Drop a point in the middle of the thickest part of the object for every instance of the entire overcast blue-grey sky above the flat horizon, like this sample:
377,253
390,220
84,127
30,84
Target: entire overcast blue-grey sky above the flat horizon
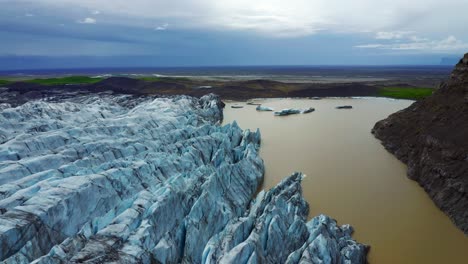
94,33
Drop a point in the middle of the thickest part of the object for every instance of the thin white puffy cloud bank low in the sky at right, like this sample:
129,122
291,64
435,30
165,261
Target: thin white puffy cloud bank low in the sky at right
416,44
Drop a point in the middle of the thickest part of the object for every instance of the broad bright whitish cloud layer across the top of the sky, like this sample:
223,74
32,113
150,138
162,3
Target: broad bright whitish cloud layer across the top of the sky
290,18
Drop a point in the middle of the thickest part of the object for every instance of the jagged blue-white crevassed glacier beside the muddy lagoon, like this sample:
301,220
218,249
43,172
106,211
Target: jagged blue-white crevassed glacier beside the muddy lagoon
108,178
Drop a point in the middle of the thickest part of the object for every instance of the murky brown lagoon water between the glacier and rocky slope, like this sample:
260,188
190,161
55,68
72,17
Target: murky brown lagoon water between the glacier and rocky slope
352,178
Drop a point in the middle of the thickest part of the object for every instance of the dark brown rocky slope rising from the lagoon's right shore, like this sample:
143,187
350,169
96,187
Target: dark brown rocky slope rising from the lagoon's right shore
431,137
